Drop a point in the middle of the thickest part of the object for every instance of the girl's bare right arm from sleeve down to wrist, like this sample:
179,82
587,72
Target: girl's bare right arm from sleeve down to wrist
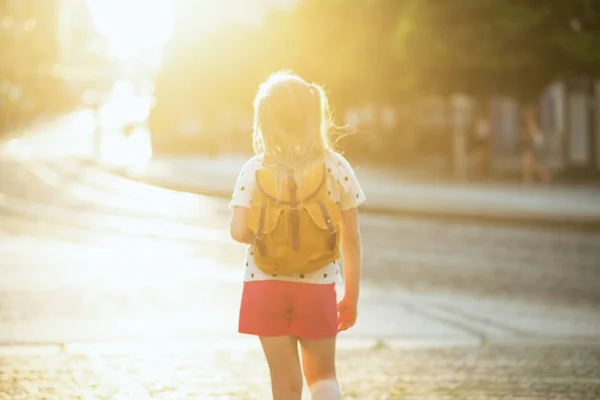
351,254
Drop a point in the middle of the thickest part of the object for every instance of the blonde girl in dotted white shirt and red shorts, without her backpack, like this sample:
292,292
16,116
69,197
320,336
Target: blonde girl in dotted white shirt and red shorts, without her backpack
291,129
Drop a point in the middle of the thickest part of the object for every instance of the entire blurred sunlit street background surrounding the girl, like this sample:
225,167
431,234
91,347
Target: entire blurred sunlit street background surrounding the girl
473,127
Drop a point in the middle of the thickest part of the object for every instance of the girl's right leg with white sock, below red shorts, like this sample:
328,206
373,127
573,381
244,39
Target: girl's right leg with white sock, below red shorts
318,361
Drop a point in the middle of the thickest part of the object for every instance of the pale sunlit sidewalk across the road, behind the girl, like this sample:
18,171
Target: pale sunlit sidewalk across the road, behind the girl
390,192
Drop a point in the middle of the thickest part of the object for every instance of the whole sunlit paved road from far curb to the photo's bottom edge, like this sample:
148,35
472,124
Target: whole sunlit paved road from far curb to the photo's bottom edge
89,259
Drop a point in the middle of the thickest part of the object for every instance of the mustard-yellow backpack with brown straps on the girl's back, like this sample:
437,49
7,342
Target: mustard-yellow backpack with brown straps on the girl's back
296,227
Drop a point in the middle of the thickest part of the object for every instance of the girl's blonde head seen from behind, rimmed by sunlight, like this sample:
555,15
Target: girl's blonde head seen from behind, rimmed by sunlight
291,120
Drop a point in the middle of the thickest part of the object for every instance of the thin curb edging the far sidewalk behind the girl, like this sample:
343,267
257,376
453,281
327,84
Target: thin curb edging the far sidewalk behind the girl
490,218
